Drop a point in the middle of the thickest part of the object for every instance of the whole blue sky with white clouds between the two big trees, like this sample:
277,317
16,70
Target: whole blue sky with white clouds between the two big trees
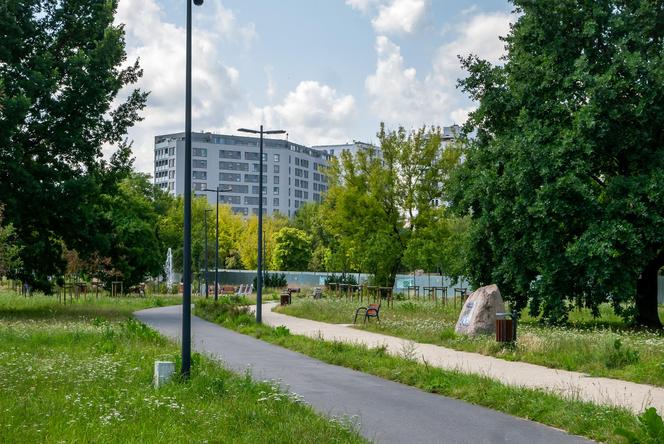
326,71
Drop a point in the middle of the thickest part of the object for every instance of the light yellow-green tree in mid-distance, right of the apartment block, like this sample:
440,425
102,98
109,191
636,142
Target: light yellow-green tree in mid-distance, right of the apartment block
377,204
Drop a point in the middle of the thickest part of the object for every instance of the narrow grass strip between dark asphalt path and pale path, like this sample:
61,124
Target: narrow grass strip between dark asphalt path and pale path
576,417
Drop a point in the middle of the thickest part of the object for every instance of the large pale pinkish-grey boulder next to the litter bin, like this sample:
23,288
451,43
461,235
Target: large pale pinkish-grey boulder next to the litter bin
478,315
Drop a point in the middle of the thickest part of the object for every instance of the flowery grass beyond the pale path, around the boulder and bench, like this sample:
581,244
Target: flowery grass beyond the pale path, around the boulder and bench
599,347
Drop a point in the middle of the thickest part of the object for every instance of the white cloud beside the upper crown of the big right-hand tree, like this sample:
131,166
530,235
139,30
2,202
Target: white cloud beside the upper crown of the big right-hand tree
399,96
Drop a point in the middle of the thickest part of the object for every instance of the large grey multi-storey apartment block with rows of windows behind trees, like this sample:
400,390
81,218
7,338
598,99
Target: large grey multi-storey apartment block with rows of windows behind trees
291,172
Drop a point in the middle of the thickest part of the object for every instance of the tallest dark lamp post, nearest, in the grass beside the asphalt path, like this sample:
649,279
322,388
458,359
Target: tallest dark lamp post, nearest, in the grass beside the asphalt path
186,250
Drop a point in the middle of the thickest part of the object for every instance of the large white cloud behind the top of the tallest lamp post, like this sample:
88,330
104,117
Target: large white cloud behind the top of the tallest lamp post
160,47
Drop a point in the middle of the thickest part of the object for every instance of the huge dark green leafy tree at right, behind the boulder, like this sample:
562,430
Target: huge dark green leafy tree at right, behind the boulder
565,177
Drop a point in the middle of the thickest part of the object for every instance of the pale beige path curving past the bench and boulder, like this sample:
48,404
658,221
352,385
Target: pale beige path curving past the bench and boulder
606,391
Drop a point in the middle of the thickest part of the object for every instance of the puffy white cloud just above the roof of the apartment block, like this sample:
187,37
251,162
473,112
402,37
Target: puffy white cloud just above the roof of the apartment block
312,114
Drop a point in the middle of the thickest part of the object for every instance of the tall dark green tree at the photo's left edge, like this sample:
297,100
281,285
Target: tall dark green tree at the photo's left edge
62,65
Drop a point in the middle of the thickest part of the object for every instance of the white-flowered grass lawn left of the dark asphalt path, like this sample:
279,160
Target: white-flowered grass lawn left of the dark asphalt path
83,373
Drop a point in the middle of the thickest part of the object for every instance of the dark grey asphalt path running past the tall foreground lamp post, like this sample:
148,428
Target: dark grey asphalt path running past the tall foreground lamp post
385,411
